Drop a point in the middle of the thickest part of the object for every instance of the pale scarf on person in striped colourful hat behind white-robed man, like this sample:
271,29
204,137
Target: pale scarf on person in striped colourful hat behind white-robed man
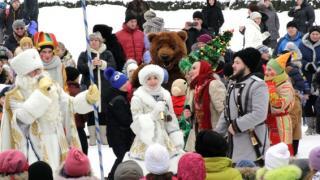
54,68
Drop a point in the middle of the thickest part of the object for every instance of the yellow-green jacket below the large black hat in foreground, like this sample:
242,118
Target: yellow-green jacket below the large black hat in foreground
220,168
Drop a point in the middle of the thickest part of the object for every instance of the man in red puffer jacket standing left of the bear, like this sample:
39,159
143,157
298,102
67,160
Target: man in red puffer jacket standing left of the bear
131,39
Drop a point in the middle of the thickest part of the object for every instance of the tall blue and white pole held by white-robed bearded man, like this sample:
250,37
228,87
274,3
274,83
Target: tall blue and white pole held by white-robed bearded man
96,117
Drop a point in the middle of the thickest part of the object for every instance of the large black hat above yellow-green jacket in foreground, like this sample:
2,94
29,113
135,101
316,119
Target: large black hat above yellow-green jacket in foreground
211,144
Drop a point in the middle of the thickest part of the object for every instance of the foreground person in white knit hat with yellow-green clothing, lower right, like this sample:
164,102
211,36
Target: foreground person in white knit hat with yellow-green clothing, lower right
277,165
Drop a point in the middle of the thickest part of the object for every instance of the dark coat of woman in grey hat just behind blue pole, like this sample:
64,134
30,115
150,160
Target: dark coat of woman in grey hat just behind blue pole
83,68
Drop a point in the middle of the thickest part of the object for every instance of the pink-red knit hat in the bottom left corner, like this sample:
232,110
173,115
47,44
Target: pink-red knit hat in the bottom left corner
13,161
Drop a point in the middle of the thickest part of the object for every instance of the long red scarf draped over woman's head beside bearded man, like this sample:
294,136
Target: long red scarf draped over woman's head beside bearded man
201,95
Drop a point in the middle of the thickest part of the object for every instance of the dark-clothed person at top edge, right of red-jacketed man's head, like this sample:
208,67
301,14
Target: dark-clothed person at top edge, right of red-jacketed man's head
137,8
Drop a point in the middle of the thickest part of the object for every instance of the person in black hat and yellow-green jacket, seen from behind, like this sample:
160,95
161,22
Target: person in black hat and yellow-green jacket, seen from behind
213,147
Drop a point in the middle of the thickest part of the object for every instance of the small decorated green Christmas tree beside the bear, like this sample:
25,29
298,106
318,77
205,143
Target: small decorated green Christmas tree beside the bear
211,52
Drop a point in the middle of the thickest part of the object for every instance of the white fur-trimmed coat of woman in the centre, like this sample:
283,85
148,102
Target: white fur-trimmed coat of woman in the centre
149,129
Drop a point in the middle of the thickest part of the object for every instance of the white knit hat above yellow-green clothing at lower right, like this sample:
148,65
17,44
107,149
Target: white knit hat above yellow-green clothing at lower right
277,156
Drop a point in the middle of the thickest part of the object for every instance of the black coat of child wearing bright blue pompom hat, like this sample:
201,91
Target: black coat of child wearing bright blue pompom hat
119,119
